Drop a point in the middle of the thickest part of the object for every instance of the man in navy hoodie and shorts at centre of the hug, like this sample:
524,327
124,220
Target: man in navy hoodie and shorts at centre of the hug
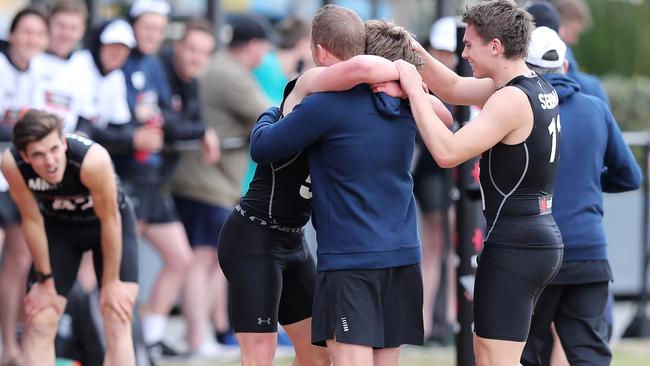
368,295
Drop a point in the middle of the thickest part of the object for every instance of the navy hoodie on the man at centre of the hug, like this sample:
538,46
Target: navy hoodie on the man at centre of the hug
360,147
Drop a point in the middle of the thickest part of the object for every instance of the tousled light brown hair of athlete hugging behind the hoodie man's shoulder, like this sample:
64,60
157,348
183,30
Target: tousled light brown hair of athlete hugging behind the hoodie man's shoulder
390,41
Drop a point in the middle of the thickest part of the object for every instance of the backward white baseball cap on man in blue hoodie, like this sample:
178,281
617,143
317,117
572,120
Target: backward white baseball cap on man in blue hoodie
546,49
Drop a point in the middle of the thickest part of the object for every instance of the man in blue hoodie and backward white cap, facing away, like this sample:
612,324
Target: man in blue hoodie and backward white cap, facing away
595,159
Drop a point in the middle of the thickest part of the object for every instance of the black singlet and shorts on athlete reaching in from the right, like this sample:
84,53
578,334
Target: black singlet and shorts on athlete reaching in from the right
523,246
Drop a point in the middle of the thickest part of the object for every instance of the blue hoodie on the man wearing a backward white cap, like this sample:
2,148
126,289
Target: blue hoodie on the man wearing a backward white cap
595,159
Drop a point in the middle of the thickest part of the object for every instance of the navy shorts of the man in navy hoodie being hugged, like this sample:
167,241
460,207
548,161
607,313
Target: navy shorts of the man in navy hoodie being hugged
379,308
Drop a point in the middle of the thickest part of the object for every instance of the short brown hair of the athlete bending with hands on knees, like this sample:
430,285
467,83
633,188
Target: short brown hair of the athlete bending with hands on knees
34,126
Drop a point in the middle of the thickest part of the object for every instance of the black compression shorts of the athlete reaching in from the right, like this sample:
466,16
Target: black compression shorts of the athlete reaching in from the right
509,280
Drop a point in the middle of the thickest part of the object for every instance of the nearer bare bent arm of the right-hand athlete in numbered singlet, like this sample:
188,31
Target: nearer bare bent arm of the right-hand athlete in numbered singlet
504,114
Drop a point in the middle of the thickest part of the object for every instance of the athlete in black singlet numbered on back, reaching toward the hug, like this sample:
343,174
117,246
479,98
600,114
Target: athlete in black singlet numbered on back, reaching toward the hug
517,133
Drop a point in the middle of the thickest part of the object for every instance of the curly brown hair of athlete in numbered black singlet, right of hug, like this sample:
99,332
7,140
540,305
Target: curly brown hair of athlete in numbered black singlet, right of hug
505,21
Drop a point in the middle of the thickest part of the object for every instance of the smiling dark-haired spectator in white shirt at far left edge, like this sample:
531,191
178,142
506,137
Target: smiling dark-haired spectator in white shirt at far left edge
28,37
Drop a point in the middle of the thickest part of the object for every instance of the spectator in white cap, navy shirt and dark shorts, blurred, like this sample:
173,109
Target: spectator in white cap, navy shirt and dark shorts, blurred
143,169
